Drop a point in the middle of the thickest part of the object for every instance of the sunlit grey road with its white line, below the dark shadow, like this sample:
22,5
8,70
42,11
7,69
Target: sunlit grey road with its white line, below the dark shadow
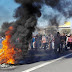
61,64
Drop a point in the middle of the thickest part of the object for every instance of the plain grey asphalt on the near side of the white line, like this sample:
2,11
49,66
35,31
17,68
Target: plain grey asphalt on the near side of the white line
63,65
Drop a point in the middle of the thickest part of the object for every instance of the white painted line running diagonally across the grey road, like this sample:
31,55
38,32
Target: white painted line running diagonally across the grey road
46,63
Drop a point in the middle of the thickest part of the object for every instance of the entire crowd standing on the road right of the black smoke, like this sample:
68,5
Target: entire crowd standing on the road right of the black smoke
59,42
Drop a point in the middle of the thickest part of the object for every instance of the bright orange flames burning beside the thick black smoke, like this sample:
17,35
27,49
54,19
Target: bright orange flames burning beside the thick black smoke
7,53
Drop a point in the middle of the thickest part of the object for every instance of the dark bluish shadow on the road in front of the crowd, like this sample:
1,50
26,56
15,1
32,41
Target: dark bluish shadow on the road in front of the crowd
41,55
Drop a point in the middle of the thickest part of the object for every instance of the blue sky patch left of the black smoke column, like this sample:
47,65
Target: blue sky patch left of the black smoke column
7,10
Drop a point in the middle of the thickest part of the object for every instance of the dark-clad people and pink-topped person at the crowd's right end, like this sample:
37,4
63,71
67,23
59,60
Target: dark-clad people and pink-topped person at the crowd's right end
62,42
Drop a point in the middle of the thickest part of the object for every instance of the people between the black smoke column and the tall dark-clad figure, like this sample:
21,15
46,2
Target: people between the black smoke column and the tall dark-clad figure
42,42
